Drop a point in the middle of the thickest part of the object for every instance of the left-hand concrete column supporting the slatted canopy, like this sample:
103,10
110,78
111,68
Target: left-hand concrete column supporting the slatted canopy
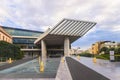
43,50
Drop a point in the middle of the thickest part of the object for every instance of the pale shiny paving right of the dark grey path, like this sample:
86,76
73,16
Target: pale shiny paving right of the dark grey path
104,67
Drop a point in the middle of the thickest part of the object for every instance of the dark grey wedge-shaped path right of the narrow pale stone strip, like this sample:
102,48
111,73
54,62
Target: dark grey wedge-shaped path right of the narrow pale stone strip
81,72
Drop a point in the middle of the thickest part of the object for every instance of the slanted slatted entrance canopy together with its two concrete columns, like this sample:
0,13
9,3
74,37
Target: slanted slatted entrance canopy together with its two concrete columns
61,36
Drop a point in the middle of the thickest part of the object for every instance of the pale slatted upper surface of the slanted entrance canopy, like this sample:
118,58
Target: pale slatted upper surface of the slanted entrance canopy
71,27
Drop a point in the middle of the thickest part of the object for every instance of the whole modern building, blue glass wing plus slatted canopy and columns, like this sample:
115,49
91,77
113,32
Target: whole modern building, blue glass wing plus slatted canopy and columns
56,41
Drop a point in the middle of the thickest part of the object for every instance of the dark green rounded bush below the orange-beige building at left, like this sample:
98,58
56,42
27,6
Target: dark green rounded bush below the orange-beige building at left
10,51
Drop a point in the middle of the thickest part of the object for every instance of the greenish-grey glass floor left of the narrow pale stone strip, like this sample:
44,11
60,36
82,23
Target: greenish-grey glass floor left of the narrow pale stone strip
28,70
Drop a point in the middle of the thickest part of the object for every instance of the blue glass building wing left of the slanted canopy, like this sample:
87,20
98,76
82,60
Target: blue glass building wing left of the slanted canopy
23,37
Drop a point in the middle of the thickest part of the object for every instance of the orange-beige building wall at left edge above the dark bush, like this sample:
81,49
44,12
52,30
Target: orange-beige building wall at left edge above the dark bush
5,36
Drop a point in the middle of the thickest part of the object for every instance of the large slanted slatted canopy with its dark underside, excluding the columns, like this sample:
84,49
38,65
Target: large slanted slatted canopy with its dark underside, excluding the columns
73,29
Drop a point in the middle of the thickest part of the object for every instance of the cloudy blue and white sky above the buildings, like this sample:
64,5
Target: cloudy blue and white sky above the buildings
43,14
